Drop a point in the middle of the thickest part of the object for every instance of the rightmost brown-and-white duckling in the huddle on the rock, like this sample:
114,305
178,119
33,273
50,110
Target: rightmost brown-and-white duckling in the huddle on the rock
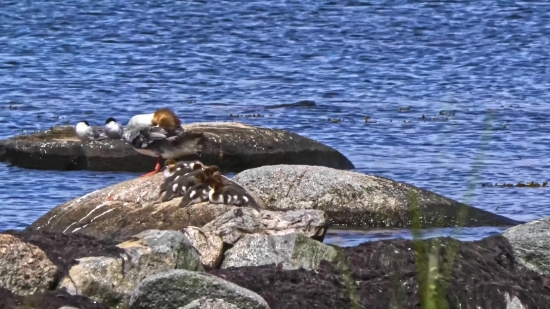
229,195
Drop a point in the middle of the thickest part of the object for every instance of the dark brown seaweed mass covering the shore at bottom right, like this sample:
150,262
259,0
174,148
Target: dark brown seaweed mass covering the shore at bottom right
390,274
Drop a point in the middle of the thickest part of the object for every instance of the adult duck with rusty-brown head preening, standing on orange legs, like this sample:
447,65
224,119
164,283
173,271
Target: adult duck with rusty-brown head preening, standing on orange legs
160,135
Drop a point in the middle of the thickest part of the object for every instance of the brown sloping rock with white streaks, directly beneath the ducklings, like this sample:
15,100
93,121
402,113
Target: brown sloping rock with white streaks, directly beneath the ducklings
133,209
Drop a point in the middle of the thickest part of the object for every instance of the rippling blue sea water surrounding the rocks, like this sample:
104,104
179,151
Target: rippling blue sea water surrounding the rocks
456,92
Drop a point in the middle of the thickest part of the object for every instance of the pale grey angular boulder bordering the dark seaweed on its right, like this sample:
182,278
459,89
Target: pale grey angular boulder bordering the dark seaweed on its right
292,251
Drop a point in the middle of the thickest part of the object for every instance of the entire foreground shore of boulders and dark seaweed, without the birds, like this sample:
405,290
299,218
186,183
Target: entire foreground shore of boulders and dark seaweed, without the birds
120,247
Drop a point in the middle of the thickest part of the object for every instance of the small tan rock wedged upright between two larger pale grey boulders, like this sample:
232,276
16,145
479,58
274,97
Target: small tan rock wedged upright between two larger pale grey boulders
208,244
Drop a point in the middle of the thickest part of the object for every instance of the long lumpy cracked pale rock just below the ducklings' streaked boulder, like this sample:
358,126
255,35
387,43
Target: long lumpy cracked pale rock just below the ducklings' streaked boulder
236,223
